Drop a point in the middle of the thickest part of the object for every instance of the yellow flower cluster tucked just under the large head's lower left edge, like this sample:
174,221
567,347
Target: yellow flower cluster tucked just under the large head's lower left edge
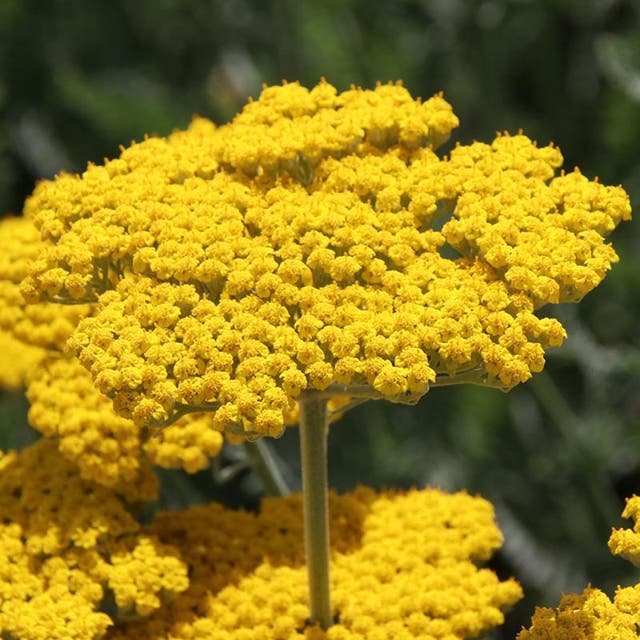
107,448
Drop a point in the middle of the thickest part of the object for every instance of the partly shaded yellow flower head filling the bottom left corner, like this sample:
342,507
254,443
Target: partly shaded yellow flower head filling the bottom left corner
65,544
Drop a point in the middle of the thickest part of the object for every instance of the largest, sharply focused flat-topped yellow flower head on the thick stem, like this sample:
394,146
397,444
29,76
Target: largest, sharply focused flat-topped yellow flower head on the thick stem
317,244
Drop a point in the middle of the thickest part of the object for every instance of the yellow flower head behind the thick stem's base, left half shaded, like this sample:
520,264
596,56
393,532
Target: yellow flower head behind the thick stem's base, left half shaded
403,567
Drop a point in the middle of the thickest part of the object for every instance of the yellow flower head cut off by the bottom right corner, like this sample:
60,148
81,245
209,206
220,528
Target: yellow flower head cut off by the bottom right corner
592,615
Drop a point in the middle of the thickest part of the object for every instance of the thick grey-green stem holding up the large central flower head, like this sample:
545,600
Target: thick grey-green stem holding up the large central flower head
313,449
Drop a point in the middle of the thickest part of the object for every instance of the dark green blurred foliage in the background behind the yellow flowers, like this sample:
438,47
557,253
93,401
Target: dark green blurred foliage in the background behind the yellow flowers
556,456
